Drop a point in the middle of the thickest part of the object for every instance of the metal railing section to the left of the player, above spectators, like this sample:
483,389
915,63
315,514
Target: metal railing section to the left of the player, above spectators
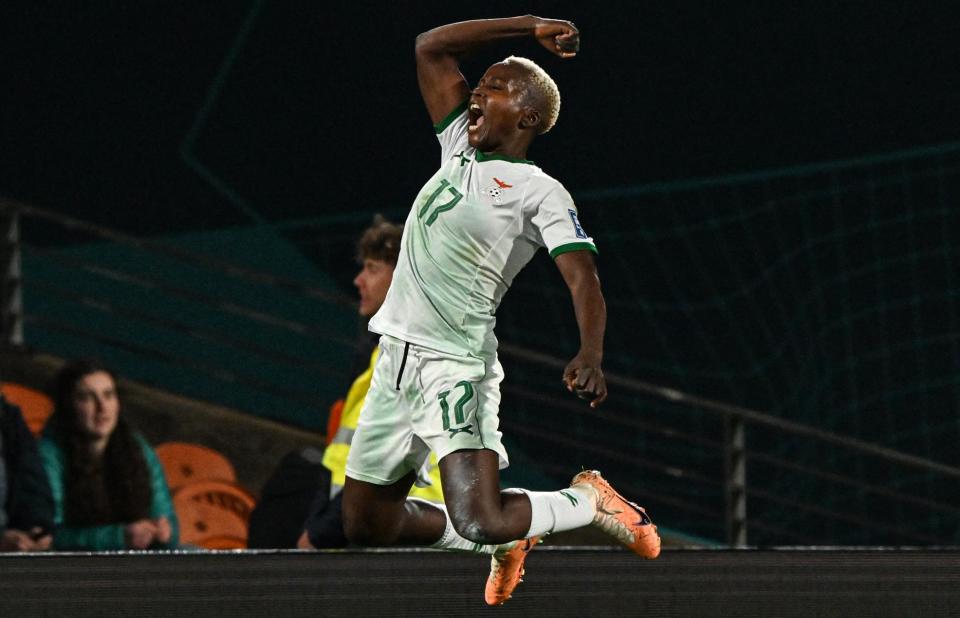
146,305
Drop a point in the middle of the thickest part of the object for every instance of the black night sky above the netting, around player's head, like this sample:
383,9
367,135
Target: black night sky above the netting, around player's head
319,112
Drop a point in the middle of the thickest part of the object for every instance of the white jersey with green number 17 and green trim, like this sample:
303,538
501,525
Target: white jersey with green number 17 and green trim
473,227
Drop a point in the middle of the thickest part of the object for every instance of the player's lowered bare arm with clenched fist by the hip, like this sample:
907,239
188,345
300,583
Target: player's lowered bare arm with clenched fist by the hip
583,374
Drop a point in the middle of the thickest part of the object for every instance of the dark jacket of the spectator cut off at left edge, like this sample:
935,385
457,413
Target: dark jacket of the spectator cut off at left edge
29,501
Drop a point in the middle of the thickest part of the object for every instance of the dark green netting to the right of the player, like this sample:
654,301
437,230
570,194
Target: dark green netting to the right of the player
826,294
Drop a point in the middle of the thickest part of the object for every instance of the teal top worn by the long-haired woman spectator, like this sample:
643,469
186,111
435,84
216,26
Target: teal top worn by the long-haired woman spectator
110,536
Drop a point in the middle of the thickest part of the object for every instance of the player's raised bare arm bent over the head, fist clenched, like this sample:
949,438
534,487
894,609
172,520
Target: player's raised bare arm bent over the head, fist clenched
439,52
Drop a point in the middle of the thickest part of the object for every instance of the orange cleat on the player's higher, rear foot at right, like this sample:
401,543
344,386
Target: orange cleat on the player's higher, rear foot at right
619,517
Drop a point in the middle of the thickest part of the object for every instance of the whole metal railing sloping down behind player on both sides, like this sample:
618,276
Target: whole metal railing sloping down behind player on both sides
698,459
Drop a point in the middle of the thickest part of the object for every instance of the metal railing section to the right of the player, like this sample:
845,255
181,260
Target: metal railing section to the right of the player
735,451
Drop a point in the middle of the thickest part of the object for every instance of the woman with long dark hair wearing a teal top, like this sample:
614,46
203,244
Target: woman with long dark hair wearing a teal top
108,486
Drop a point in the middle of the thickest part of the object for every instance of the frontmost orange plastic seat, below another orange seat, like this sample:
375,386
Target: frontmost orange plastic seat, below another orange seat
213,514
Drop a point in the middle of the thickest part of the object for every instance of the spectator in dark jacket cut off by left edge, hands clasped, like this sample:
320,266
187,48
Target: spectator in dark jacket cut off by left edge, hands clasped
26,506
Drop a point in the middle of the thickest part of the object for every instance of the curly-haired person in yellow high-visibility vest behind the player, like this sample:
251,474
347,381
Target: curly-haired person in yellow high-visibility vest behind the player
378,250
